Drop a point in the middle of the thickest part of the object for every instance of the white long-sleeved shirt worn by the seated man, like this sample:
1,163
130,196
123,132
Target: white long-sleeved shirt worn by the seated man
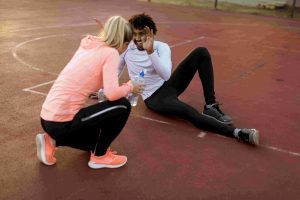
157,66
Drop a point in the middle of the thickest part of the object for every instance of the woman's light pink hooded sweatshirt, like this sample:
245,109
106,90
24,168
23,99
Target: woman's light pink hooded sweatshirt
93,66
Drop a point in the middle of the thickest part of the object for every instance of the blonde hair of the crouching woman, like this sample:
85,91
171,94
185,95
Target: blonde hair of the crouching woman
116,32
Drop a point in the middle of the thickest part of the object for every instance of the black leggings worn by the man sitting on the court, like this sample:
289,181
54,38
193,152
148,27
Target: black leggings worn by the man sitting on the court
165,99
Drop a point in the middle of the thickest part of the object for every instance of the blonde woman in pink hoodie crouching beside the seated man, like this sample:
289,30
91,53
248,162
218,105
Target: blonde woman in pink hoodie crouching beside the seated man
93,128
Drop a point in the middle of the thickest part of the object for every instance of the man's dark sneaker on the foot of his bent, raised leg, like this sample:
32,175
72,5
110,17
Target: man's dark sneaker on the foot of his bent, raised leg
213,111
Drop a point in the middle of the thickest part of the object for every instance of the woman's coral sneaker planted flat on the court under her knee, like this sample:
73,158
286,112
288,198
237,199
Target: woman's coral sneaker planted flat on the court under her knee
109,160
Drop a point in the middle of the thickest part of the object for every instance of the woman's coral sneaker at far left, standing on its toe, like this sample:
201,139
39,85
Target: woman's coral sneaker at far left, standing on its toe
45,149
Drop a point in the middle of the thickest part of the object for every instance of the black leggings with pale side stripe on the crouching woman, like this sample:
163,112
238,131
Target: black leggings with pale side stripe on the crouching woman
93,128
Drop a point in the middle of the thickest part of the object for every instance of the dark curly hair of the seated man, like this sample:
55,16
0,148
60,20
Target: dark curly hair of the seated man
140,21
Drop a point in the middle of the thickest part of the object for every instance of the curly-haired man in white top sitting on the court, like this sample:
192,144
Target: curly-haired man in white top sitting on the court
163,88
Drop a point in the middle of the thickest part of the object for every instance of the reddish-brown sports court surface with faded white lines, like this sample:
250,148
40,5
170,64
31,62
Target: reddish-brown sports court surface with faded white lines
256,62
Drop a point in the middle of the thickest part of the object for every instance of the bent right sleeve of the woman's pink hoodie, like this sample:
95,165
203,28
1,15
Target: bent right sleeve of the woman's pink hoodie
111,86
